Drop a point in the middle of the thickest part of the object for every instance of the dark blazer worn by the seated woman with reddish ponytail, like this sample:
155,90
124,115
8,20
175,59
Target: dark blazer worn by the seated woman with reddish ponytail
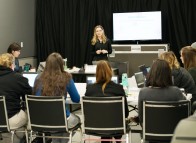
112,89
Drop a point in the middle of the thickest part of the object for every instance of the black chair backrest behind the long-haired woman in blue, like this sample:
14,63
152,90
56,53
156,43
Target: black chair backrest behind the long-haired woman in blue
46,113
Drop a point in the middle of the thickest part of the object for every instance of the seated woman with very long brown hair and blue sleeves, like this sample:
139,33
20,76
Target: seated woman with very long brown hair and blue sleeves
54,81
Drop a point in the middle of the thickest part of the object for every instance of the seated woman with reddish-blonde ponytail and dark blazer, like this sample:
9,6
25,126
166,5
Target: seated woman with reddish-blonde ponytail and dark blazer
105,87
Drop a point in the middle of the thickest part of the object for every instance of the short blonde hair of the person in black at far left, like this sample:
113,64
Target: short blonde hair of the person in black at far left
6,60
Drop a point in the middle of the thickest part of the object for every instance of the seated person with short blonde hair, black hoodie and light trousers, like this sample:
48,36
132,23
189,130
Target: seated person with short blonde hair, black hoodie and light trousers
14,87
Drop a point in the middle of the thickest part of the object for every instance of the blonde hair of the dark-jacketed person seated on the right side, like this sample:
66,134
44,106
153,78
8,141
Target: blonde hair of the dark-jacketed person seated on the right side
171,59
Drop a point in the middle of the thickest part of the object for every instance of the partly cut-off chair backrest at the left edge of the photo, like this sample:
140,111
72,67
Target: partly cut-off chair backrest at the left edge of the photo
4,124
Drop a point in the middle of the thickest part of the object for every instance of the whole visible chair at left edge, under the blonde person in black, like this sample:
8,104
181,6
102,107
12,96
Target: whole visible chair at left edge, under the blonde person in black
4,123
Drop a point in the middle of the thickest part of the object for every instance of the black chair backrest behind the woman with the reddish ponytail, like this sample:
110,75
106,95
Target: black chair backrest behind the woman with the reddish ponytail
103,115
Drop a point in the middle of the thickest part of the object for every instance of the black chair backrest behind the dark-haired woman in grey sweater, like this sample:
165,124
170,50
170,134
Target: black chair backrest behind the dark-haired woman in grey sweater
161,117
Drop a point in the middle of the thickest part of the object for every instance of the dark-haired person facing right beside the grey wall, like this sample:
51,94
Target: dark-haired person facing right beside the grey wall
14,49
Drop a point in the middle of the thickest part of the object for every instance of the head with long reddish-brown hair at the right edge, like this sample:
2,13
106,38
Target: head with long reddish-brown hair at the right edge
188,57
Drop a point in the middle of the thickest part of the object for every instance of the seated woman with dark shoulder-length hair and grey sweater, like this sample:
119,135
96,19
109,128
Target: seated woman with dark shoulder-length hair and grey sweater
158,86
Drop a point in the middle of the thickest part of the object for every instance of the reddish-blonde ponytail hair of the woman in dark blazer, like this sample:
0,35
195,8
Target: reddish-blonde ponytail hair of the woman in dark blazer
103,73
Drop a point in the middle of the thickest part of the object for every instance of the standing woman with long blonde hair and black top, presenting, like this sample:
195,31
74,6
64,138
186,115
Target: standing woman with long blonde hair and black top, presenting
101,45
